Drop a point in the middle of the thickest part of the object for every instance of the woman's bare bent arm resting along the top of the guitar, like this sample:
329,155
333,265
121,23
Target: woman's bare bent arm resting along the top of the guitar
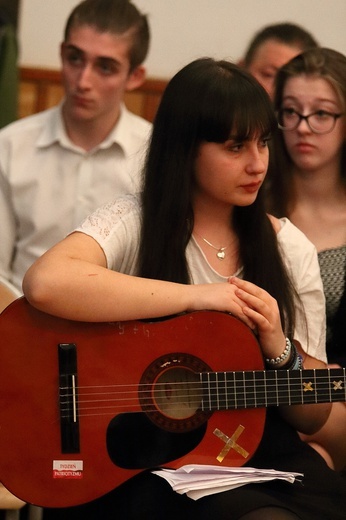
78,264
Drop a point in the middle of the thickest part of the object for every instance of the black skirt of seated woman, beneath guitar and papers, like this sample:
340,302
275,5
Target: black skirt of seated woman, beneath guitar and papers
320,496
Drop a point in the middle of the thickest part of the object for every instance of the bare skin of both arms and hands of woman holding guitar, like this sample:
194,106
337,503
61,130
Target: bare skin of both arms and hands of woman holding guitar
78,263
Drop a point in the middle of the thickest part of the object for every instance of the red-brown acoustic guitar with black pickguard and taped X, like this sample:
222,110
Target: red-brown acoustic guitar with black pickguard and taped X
86,406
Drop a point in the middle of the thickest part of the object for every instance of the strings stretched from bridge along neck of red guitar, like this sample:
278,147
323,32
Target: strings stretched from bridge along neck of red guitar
230,394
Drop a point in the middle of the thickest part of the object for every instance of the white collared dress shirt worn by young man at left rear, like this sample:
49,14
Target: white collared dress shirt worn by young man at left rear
48,185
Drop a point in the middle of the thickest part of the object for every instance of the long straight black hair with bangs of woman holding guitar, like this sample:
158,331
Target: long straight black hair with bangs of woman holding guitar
207,100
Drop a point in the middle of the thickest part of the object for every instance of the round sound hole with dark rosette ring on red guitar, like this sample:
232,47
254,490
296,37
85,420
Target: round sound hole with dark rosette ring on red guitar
171,392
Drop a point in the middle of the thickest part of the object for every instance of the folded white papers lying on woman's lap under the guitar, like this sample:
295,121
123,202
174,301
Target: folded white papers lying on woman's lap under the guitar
197,480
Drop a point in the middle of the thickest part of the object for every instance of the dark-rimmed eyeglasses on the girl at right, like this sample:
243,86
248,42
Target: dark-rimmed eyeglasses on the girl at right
319,122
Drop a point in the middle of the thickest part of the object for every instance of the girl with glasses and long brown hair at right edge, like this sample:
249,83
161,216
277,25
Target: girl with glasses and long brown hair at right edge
307,183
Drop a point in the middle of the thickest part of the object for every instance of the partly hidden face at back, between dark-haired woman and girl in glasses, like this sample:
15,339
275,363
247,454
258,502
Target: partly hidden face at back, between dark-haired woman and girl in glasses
270,56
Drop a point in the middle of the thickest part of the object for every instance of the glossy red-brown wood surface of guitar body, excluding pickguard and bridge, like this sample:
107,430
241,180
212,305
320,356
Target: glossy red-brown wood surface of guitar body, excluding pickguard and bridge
108,354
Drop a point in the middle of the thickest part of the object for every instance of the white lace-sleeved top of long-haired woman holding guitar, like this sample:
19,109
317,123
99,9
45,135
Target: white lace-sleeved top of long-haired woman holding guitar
116,227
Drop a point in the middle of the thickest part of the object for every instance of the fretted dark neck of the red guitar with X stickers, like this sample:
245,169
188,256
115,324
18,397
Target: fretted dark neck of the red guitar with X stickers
265,388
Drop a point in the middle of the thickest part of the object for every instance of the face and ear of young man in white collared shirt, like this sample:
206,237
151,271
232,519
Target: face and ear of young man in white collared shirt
96,74
